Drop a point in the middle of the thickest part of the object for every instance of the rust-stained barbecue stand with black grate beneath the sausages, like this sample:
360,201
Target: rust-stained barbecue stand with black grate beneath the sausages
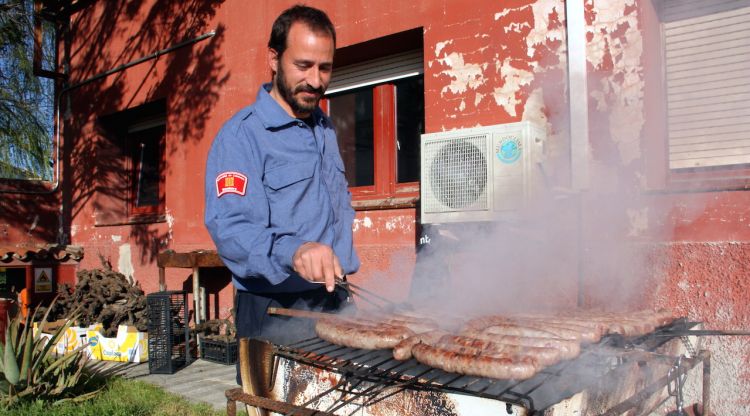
354,379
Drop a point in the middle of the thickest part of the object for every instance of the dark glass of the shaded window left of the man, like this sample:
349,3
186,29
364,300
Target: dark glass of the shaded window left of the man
146,161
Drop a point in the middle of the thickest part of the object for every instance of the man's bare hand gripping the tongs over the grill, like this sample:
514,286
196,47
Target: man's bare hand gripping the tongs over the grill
317,263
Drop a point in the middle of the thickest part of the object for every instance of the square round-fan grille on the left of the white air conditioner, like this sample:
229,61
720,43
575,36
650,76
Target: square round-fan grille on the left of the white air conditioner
458,174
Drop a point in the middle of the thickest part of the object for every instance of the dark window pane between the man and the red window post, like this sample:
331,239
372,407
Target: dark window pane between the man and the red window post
351,113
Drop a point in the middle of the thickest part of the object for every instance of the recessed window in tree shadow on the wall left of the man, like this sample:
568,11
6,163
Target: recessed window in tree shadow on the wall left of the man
130,176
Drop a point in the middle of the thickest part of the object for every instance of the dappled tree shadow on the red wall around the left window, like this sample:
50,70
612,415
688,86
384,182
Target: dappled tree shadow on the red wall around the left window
96,170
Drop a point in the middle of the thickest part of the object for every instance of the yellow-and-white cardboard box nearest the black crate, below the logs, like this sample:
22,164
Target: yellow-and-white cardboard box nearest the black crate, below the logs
129,345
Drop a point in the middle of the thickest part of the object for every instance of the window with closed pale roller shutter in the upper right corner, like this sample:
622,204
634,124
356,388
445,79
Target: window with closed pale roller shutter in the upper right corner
706,53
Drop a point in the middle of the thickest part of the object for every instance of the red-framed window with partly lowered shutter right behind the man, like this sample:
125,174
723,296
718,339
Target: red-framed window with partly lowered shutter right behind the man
377,107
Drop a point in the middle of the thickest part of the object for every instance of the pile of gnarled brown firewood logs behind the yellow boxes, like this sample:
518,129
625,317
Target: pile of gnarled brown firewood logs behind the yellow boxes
102,296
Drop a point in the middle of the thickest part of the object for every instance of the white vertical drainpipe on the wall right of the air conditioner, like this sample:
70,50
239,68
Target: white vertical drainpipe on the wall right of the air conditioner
578,103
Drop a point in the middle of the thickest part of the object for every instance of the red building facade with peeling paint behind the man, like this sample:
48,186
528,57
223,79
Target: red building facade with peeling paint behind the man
624,220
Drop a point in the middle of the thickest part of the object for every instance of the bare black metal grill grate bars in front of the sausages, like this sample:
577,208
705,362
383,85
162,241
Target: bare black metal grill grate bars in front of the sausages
369,376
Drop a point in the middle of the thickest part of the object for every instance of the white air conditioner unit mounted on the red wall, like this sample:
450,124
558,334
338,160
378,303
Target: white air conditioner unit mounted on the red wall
480,174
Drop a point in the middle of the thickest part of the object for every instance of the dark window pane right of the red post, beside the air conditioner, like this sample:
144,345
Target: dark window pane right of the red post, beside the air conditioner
410,125
